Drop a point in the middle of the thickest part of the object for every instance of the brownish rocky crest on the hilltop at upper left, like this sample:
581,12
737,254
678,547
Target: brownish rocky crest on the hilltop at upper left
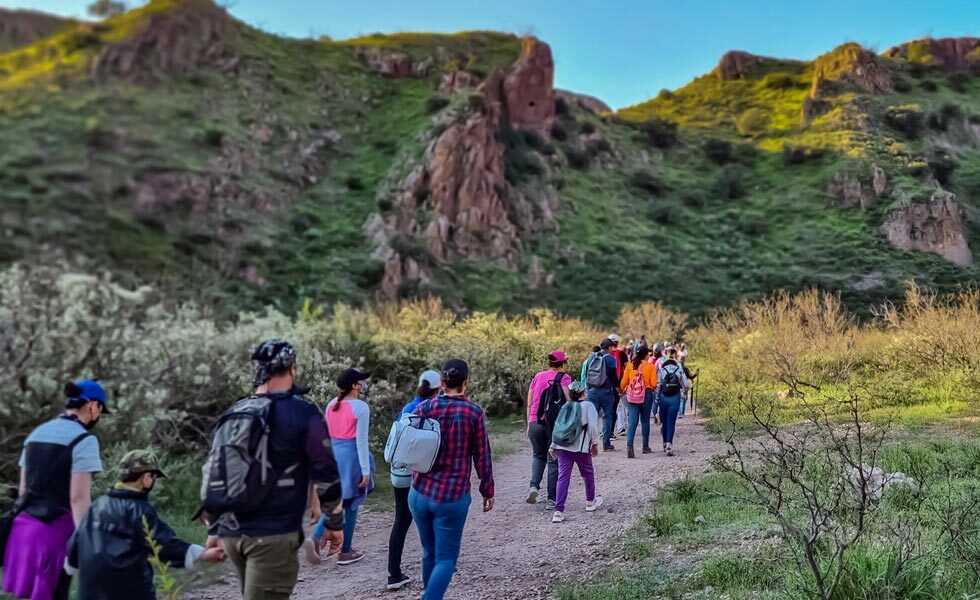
192,34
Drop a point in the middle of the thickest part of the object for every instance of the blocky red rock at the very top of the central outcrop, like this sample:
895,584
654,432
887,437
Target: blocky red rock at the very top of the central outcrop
527,91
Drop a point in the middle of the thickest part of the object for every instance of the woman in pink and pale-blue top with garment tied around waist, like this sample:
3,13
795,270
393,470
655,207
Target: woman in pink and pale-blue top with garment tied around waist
349,421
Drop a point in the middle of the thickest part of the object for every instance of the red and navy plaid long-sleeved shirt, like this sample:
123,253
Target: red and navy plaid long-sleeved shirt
464,437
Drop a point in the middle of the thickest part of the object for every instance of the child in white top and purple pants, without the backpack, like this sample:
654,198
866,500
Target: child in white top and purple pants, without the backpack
579,452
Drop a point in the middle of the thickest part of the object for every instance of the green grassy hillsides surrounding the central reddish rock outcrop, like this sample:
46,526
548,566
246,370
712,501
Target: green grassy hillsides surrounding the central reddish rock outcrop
178,145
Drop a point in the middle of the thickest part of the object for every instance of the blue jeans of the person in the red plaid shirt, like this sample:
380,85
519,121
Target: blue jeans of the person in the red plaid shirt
440,526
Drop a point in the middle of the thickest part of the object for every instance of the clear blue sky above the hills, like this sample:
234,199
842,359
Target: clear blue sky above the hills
623,51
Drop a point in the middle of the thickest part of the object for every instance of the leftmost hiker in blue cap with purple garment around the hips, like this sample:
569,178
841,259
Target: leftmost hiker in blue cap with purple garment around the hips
59,460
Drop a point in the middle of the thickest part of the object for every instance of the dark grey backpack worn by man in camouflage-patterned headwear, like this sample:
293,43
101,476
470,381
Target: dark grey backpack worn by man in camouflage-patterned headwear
237,476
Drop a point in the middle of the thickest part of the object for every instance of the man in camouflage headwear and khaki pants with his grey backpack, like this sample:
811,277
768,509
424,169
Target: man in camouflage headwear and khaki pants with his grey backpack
255,506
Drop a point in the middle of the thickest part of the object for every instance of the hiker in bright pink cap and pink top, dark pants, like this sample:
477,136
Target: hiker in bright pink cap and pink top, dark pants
548,388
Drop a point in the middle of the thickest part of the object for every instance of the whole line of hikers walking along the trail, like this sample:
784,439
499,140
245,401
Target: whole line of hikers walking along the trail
275,457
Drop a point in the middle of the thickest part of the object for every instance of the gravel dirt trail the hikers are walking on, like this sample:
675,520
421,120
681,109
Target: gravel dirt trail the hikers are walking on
514,551
